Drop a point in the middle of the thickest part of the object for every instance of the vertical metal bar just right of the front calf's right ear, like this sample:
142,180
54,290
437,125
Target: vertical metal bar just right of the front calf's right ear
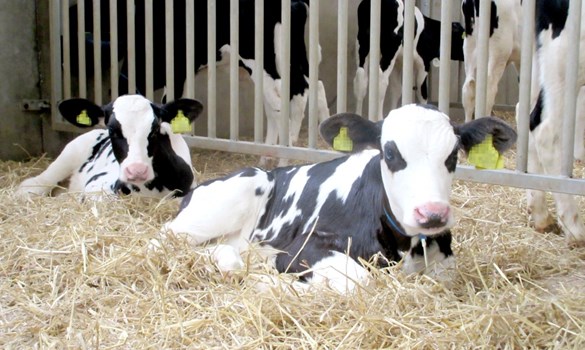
528,12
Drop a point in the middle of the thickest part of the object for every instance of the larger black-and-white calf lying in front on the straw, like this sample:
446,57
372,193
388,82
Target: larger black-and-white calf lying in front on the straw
386,198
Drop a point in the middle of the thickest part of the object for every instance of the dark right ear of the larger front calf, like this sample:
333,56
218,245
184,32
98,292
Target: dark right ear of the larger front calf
475,131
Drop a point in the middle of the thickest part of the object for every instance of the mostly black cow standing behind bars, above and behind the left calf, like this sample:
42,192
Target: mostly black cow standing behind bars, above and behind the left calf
299,66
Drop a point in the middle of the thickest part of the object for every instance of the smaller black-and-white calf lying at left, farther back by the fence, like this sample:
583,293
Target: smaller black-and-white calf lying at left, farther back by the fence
137,153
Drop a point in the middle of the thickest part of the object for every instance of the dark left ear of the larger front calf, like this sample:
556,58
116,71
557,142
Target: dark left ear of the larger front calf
362,132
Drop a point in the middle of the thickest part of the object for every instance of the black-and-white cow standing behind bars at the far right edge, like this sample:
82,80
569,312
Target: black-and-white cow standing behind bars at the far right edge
547,117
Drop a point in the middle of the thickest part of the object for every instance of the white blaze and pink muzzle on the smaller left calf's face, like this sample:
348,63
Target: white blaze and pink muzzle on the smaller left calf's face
136,117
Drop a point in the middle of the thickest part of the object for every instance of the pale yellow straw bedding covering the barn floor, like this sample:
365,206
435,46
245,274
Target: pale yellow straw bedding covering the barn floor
78,275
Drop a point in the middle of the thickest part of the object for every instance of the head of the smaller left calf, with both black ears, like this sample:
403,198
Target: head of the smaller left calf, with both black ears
139,129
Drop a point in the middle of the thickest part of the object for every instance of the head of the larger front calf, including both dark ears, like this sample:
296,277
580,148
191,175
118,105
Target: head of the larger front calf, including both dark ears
418,156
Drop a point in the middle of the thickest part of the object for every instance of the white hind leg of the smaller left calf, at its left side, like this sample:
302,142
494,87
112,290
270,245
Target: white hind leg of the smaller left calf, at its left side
71,158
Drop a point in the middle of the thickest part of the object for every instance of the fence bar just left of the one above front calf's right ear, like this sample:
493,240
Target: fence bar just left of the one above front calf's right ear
445,58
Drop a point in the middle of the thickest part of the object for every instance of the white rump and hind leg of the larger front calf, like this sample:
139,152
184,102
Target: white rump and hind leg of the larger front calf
225,209
